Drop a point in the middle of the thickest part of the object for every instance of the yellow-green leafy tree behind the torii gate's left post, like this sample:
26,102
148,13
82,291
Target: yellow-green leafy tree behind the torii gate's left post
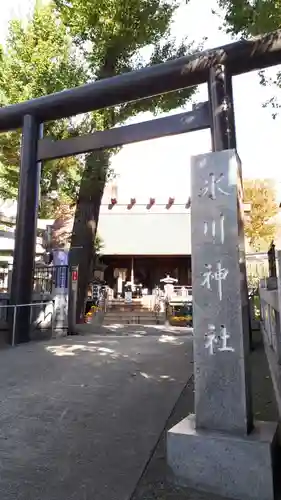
38,58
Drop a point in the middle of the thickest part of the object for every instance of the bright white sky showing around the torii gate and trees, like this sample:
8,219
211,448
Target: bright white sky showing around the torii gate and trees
160,168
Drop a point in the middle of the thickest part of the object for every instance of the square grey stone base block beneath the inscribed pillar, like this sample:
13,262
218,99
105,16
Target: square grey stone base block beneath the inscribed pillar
232,466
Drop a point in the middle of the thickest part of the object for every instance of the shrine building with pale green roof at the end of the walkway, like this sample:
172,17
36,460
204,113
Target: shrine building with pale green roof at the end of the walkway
145,239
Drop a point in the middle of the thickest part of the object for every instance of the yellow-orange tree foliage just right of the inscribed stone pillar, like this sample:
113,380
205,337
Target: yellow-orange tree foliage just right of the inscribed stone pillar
260,224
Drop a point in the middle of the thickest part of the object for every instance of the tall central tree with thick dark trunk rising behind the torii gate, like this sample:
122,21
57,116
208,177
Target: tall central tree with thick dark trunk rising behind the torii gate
115,37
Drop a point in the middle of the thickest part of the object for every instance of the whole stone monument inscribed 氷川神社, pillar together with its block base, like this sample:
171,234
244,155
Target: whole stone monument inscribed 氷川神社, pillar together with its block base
220,449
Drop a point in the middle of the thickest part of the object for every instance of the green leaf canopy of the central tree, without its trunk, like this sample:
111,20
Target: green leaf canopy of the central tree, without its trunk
117,36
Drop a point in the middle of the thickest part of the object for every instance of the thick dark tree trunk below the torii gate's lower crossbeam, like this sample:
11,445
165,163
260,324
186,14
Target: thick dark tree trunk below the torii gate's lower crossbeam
86,221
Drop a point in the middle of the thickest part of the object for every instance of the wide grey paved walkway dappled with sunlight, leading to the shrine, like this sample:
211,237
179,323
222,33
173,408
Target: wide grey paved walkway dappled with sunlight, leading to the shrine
81,416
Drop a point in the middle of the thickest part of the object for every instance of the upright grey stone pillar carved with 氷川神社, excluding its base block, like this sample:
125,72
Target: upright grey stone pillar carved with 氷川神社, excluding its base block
221,335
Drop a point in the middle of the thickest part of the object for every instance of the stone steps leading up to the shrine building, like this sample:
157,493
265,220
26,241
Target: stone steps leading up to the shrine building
136,313
